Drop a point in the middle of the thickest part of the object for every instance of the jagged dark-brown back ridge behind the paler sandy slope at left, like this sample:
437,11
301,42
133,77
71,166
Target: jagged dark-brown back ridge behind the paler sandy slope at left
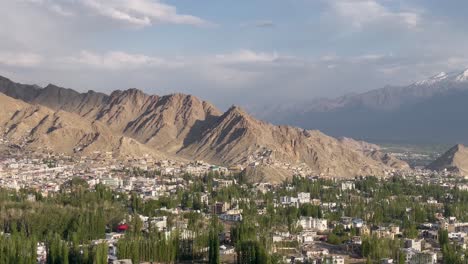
165,123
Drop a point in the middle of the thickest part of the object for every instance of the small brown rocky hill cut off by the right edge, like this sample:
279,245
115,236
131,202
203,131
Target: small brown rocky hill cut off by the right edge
454,160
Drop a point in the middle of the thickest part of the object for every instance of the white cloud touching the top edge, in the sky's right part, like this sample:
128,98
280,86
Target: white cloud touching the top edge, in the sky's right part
362,13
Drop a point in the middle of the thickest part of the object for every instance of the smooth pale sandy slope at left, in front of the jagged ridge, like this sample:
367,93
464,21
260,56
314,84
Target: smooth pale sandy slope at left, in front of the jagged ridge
40,128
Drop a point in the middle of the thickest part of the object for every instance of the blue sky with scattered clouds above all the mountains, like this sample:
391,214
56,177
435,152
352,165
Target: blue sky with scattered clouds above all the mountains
232,52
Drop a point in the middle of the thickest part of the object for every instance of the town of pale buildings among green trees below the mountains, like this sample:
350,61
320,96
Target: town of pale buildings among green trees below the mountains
417,217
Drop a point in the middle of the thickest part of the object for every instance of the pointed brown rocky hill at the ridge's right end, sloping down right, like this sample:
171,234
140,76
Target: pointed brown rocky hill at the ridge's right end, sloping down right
236,132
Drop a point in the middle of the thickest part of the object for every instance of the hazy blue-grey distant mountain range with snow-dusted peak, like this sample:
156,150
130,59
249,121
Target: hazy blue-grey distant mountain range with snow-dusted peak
428,111
